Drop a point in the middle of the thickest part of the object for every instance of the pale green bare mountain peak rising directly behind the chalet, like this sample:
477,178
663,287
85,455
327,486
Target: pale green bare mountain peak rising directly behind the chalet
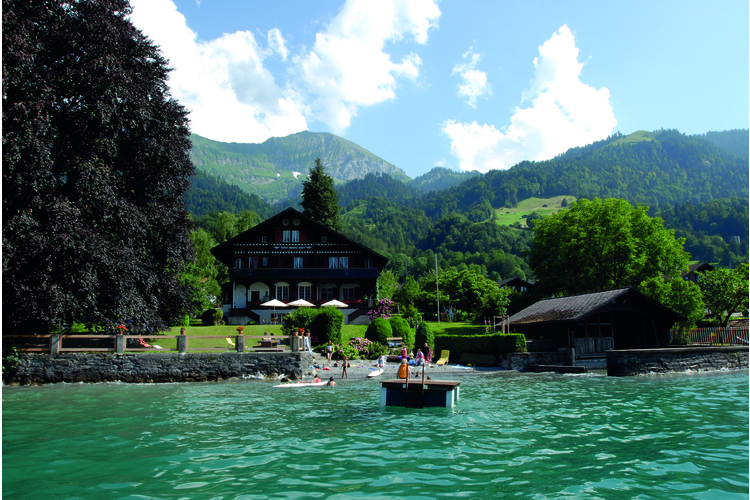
275,169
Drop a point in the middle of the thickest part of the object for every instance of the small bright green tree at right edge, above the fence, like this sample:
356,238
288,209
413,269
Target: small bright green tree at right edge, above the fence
725,291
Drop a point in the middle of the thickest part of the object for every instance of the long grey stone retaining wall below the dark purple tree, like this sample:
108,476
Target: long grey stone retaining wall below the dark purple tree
152,367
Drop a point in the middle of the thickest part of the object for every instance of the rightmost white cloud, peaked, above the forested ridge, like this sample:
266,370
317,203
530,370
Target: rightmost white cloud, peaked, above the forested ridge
563,113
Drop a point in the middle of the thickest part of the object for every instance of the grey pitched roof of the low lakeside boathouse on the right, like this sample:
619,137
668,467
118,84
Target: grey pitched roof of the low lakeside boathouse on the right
574,308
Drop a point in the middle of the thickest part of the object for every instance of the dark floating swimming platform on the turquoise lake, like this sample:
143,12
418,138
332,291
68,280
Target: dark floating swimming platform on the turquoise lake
434,393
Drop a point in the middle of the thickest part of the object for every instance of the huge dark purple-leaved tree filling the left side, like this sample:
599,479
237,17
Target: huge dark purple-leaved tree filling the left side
95,169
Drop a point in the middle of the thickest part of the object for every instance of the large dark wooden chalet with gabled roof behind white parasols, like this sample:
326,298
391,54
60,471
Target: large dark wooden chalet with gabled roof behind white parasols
290,257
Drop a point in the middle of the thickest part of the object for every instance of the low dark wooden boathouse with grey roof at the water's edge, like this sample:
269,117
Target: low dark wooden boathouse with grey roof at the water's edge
596,322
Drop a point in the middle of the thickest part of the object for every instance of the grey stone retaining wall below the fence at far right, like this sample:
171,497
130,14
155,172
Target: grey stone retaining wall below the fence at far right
675,360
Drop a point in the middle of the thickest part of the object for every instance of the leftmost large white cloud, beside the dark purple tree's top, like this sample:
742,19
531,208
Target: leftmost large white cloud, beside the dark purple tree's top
223,82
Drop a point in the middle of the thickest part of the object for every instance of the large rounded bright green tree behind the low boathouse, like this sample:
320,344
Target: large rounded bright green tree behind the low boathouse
603,244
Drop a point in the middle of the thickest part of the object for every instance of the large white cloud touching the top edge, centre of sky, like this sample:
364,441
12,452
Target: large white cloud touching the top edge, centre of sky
348,66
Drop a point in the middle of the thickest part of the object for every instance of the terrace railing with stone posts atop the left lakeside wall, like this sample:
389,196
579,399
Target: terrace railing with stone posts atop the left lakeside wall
133,343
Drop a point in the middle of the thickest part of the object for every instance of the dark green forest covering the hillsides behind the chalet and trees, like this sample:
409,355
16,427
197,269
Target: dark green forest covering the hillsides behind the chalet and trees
697,184
